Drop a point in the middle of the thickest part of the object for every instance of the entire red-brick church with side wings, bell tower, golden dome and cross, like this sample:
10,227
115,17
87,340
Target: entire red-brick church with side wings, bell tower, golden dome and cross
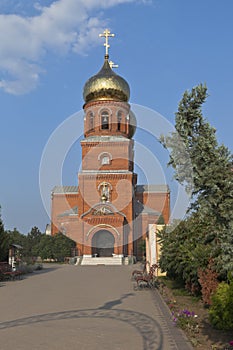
108,213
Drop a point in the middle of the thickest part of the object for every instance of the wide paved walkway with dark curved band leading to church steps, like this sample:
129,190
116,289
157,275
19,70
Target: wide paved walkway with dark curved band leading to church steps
81,307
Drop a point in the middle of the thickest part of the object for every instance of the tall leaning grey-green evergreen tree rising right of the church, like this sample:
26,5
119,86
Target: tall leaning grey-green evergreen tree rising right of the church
205,168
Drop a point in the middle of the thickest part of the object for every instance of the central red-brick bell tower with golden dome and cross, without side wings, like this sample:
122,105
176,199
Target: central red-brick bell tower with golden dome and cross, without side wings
107,179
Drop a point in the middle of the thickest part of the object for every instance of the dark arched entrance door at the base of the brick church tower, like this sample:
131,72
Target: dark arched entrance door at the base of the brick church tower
103,243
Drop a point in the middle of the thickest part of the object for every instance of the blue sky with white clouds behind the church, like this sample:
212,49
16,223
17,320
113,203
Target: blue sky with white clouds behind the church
48,49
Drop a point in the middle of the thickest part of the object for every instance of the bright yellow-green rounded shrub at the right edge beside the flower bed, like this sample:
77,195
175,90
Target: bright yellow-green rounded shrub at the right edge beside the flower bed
220,313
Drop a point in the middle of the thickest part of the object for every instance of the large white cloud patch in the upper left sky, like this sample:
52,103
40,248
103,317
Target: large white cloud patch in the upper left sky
61,27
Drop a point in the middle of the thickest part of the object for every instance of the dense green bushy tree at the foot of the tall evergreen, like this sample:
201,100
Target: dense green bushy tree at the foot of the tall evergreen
183,251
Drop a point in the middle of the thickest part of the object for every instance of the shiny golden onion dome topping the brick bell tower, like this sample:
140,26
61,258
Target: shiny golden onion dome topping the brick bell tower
106,85
